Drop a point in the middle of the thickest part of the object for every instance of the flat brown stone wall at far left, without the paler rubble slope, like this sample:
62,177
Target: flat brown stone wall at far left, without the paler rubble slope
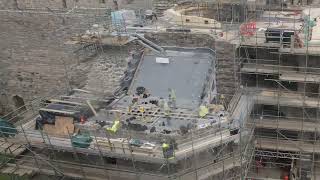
34,60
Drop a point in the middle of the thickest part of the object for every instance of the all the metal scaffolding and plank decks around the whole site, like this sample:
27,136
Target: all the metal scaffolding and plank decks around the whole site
277,100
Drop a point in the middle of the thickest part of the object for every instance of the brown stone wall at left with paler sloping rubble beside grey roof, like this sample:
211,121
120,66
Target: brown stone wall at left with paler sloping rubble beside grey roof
36,63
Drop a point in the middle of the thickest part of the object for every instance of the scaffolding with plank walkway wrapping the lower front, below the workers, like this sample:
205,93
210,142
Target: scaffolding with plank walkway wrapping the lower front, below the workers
31,151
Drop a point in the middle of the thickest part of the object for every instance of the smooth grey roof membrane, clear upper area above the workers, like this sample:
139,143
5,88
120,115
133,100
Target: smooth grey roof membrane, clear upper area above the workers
186,74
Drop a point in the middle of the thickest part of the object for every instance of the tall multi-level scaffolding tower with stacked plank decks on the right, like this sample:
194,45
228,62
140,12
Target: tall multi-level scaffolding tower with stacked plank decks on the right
283,81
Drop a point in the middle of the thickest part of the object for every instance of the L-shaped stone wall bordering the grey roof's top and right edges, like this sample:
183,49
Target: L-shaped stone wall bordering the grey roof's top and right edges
225,54
